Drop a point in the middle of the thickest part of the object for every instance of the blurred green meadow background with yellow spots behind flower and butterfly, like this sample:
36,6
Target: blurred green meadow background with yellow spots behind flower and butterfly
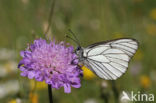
21,21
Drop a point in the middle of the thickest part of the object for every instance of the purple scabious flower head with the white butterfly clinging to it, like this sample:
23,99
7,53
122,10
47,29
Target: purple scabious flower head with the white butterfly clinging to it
56,64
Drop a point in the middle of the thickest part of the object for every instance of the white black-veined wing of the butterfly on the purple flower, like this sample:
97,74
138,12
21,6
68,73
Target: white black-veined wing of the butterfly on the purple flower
109,60
